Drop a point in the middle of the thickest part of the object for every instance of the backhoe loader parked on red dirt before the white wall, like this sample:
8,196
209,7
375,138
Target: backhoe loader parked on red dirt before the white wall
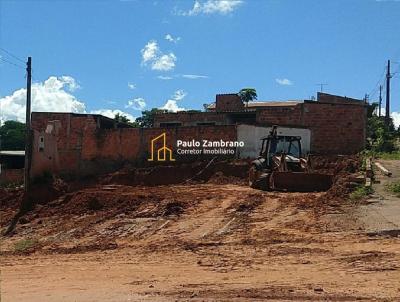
280,167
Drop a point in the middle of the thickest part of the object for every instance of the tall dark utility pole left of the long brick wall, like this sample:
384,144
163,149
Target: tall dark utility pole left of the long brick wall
28,133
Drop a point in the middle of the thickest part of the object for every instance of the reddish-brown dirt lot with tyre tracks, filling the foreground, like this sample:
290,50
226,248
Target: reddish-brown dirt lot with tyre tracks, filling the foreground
208,239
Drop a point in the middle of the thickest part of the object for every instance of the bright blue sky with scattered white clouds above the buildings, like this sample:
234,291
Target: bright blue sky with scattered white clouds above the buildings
281,48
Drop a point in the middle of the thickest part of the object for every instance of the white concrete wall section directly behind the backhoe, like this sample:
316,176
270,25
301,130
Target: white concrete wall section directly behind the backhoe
251,136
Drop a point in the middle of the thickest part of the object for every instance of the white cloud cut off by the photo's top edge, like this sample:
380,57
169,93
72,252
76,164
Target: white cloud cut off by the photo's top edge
222,7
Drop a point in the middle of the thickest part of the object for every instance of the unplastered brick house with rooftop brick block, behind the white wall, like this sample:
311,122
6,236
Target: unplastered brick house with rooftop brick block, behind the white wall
337,124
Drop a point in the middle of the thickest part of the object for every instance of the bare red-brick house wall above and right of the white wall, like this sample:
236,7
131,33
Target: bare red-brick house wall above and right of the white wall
336,128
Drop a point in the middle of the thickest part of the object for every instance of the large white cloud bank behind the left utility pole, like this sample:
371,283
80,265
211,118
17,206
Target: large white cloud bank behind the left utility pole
52,95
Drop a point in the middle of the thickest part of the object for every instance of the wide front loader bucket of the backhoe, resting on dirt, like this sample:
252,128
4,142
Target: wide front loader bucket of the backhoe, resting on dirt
300,181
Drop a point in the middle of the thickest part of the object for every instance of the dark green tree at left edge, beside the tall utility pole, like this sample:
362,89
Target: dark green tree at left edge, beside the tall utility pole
12,136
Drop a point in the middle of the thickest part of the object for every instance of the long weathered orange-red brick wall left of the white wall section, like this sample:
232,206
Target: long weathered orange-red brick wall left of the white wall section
77,147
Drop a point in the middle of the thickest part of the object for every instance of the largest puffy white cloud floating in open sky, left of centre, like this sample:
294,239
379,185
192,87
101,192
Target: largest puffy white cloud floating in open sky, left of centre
151,54
